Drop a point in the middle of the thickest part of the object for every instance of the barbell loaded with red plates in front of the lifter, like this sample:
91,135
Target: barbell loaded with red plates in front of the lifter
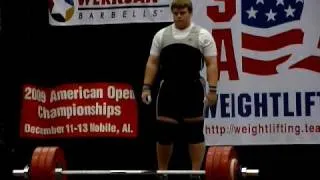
49,163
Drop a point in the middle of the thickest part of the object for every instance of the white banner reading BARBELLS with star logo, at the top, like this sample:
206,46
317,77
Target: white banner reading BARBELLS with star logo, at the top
95,12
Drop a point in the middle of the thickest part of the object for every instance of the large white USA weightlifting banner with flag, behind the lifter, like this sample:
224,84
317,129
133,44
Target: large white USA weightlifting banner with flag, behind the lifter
269,67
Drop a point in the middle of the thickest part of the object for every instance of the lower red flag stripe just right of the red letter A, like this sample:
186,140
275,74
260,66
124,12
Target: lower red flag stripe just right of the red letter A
258,67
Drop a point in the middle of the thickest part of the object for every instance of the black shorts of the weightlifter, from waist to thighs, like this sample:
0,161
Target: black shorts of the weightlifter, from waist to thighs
179,100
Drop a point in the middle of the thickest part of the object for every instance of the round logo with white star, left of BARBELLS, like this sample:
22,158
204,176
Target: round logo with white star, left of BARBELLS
61,10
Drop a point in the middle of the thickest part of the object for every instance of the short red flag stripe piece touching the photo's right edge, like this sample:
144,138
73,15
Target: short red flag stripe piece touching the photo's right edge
311,63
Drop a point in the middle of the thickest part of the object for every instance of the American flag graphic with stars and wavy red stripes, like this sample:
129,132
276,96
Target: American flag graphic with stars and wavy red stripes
268,27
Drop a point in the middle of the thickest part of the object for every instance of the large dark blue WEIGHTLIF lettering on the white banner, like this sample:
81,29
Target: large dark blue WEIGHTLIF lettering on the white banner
257,104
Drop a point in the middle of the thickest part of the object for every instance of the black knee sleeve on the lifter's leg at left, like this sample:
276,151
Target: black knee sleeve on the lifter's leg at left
166,132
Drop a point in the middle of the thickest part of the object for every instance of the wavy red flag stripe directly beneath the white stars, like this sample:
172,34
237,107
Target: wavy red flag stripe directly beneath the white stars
275,42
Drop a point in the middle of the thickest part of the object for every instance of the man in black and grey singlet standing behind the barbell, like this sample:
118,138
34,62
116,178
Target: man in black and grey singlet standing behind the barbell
179,51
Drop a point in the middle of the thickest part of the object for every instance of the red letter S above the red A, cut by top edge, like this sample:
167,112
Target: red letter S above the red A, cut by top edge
230,10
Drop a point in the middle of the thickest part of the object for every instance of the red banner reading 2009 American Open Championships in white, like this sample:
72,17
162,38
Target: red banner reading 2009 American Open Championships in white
79,110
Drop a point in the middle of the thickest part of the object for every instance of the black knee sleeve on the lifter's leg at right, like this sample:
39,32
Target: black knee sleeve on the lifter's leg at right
194,132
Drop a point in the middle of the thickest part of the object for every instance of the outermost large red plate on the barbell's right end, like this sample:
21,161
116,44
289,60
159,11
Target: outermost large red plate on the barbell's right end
224,169
